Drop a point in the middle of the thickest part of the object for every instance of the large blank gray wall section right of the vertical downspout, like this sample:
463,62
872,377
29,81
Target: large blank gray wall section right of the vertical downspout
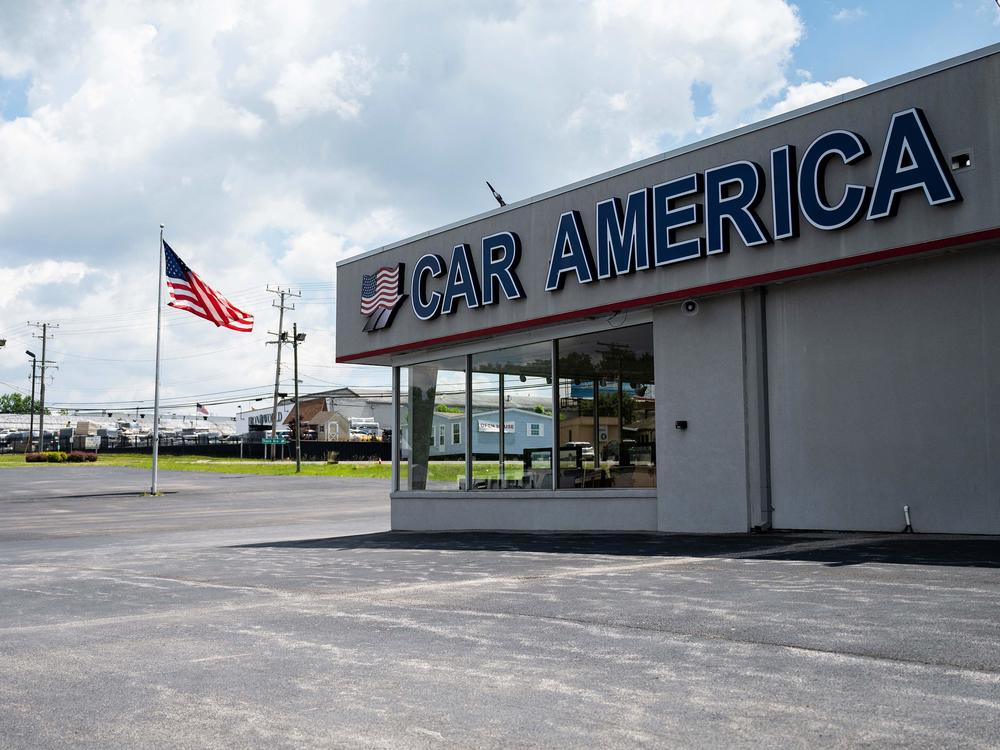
885,391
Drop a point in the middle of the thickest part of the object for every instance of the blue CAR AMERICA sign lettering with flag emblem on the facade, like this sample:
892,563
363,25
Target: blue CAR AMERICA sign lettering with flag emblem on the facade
639,234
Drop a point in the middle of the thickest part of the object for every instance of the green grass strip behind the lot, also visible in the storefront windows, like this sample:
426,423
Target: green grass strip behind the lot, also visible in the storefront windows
444,471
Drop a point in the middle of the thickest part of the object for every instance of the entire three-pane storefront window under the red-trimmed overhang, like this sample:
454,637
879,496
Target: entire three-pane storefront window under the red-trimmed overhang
604,426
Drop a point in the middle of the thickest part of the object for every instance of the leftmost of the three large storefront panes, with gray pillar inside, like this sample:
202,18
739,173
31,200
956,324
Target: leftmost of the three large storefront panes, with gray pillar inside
435,404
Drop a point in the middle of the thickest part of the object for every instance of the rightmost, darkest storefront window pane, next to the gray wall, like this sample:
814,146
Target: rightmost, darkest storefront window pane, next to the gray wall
607,411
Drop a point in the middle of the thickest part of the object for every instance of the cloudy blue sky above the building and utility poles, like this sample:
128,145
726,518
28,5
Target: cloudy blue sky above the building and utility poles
277,138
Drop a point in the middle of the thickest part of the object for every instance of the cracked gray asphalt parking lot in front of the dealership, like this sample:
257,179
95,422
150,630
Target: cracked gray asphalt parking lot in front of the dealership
248,611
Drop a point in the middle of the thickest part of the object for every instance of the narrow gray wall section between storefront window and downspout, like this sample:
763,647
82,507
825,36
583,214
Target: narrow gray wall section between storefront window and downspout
701,471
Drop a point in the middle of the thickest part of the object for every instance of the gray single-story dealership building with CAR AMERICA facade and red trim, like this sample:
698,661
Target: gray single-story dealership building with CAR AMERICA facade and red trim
794,325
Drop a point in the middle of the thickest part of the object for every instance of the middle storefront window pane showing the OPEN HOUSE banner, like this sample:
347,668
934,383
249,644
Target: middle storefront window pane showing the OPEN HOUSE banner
512,418
